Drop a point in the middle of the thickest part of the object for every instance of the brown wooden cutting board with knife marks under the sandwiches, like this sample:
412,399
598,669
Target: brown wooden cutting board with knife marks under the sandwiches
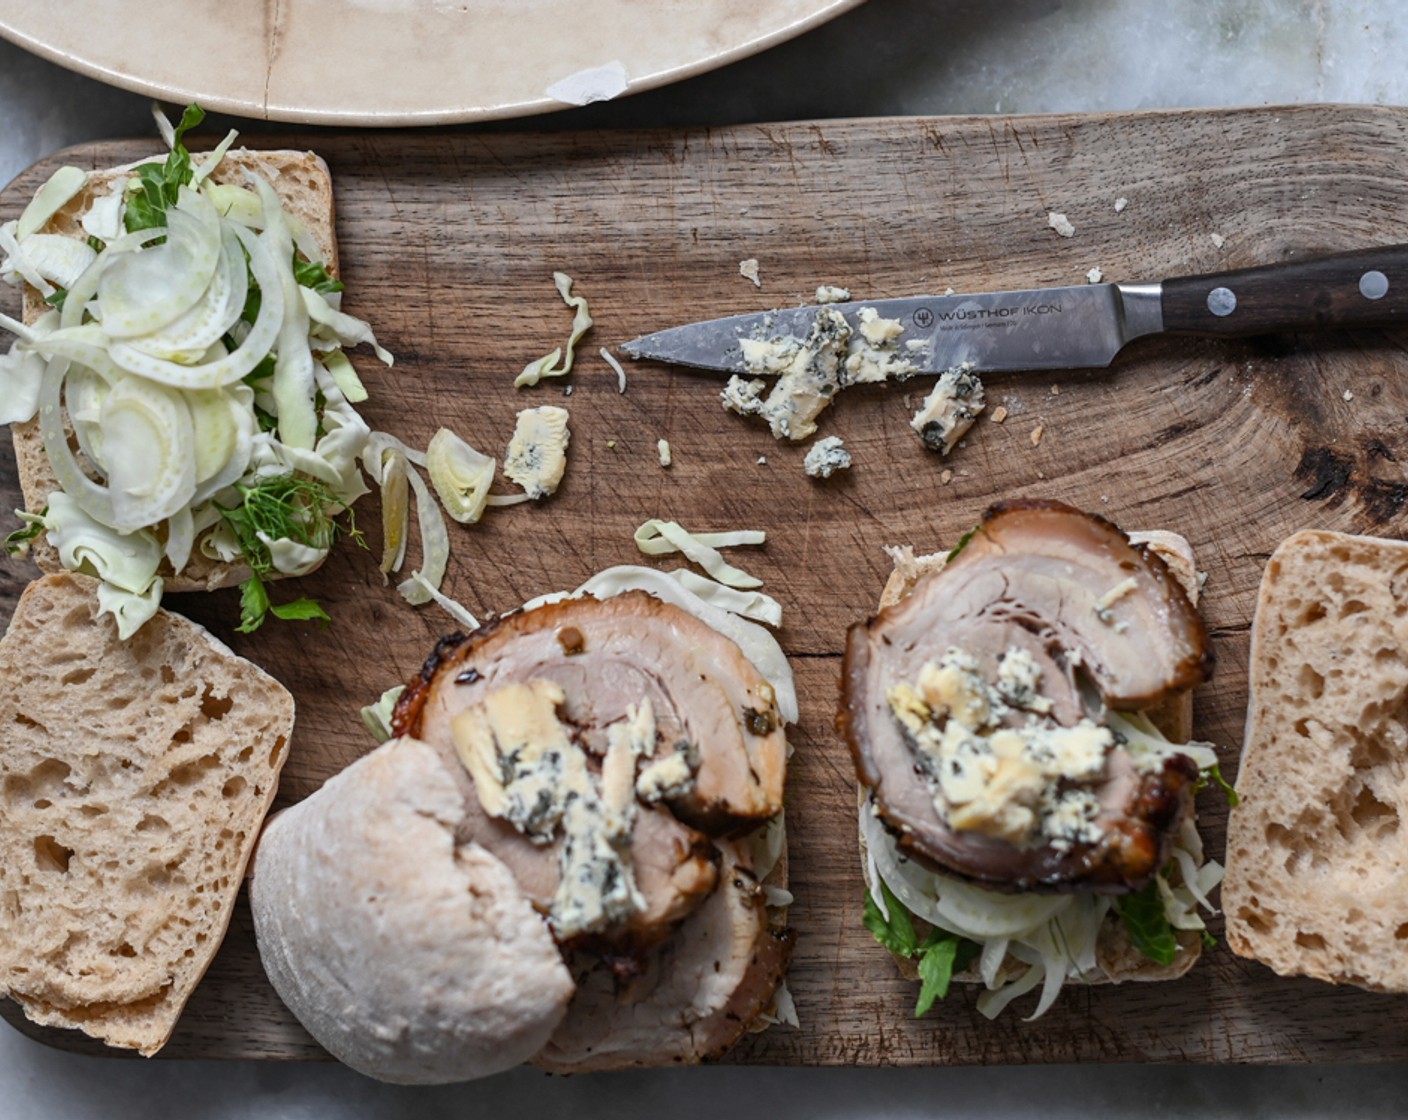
448,246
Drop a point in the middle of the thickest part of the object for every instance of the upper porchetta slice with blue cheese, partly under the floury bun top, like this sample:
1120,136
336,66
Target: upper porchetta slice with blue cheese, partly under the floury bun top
608,657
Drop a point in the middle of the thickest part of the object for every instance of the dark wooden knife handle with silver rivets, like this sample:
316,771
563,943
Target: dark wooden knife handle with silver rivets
1354,290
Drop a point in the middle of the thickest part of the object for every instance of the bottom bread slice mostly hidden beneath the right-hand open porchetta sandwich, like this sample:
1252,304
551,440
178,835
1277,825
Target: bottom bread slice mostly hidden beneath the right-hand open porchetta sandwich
1116,956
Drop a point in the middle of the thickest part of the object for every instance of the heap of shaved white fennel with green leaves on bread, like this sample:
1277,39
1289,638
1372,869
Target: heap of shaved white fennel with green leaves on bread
185,290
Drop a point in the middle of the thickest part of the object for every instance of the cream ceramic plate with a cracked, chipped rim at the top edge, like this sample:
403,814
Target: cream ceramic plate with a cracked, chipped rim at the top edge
401,63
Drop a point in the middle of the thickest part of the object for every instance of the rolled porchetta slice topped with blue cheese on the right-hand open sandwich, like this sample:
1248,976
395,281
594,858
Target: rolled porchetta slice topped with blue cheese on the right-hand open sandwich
1107,628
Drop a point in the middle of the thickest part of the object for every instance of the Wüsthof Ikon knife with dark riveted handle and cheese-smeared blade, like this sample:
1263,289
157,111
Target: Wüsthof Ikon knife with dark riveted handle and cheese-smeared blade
1086,326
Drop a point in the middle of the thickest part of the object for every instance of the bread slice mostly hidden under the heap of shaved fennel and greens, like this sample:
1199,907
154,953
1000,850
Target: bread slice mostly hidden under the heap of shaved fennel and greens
305,185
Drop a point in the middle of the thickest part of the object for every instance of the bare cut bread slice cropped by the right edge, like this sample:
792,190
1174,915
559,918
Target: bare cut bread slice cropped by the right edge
1317,870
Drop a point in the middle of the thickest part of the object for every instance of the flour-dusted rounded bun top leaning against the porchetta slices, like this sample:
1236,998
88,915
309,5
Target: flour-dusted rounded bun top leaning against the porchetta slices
412,957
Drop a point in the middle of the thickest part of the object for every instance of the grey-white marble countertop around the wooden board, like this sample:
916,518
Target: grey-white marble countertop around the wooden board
888,57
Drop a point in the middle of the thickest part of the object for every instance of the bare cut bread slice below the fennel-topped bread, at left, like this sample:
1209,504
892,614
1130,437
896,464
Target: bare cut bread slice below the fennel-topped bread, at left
134,780
